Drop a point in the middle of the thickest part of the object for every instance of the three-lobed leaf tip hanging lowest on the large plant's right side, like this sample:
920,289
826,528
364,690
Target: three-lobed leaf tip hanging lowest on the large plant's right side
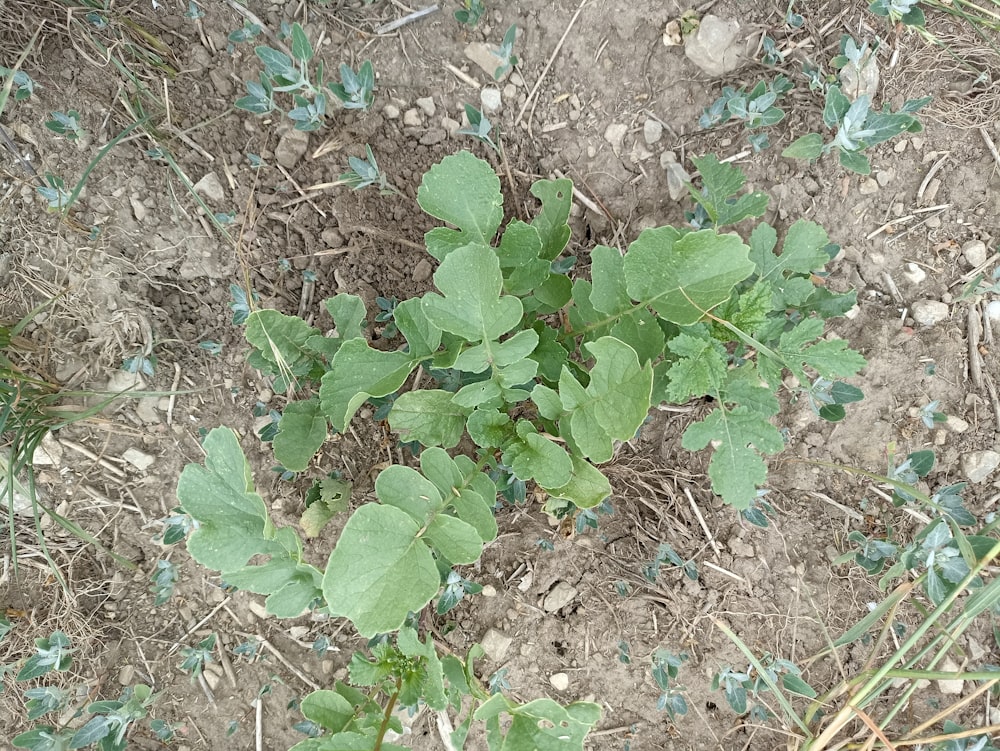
736,468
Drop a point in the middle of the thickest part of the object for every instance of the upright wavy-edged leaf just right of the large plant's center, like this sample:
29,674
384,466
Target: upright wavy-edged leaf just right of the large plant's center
613,405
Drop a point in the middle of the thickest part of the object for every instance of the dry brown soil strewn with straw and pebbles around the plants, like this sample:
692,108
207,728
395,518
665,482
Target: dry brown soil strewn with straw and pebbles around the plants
156,279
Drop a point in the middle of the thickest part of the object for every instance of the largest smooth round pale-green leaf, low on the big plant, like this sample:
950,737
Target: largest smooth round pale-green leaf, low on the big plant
380,570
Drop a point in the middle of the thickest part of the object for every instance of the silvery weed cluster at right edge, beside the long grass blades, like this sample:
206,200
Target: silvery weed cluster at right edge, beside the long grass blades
942,550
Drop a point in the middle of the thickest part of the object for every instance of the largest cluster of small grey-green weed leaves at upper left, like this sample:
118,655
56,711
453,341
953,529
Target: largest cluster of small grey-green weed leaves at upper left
293,74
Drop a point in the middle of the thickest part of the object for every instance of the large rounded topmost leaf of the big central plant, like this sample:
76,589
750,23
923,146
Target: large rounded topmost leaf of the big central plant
462,190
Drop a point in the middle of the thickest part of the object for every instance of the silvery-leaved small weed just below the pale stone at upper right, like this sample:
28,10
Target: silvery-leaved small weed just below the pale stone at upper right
858,128
